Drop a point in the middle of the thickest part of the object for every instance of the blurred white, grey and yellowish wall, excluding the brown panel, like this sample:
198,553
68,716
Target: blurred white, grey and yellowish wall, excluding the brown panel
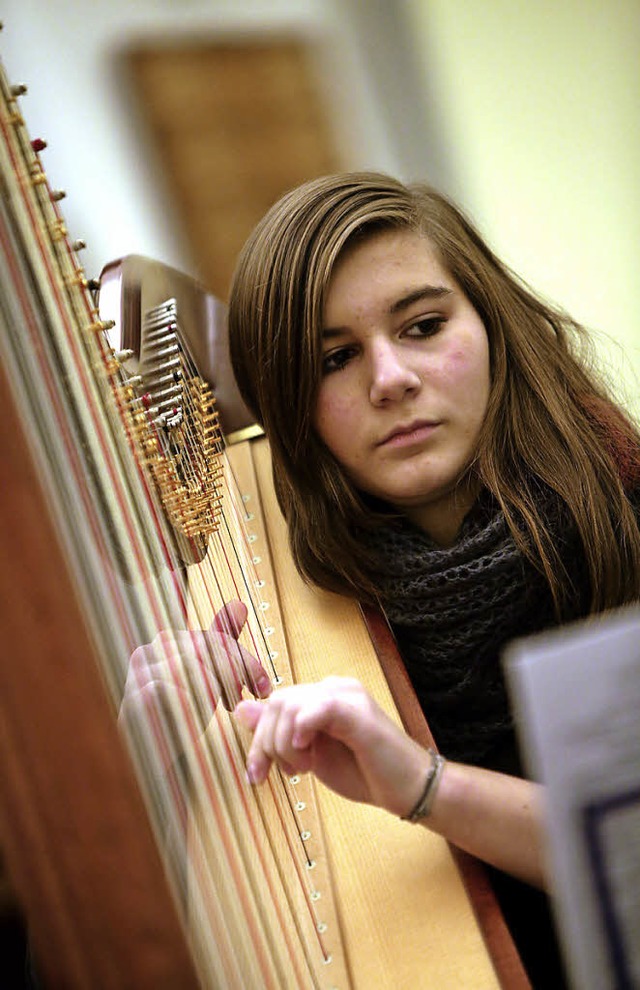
527,112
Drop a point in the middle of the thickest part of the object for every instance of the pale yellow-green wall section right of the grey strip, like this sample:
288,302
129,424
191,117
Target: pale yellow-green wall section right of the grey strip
539,106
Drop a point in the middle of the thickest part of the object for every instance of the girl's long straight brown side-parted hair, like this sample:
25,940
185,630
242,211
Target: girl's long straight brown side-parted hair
549,419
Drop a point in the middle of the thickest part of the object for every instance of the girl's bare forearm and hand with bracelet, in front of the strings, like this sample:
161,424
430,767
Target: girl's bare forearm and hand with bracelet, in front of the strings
335,730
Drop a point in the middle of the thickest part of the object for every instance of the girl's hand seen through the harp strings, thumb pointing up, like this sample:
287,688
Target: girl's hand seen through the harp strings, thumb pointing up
189,672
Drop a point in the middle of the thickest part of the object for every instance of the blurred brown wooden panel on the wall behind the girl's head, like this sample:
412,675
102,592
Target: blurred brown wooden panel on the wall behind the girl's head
236,124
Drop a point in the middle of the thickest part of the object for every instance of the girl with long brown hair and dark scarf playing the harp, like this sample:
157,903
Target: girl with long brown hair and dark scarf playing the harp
441,448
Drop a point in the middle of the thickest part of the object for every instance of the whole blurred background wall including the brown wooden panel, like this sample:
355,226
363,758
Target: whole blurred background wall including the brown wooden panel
526,113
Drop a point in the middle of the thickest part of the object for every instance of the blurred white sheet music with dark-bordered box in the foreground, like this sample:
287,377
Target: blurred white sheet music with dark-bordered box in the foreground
577,698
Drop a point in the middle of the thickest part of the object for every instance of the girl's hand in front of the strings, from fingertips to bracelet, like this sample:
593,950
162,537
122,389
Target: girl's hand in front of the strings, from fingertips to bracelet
335,730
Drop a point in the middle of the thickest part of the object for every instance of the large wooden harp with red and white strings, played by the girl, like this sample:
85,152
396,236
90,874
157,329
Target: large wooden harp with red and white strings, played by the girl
134,867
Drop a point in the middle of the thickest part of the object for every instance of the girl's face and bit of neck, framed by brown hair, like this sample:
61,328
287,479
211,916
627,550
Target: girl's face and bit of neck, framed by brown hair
405,379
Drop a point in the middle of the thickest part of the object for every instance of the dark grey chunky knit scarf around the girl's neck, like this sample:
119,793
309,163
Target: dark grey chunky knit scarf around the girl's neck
452,611
